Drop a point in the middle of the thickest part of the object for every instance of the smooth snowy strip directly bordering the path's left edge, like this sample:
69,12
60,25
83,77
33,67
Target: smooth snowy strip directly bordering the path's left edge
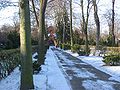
56,80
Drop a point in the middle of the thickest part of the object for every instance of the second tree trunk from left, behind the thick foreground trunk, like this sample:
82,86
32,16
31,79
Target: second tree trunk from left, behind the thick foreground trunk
41,32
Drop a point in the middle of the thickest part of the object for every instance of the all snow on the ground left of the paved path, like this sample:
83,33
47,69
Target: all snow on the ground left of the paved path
49,78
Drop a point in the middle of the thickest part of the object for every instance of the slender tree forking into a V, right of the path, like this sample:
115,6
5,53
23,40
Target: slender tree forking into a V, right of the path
85,24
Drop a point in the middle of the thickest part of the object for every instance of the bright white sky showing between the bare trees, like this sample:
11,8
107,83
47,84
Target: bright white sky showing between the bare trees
7,13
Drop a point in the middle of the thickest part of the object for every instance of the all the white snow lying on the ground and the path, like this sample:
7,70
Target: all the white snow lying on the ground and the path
51,77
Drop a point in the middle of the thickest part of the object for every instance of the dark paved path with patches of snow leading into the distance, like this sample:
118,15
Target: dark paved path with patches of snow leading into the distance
83,76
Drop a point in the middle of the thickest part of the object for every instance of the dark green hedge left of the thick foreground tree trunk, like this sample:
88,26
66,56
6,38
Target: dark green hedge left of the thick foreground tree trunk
9,59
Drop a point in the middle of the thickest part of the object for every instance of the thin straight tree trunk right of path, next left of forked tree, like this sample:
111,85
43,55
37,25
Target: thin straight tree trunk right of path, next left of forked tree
71,31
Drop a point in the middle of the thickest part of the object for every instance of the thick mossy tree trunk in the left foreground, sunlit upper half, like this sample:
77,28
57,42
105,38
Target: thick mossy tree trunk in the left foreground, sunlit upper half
25,47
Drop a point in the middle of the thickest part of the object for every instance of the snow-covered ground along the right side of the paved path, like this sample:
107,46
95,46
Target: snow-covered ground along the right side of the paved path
96,61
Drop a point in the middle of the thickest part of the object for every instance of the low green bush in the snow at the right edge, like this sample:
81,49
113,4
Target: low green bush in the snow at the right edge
112,59
